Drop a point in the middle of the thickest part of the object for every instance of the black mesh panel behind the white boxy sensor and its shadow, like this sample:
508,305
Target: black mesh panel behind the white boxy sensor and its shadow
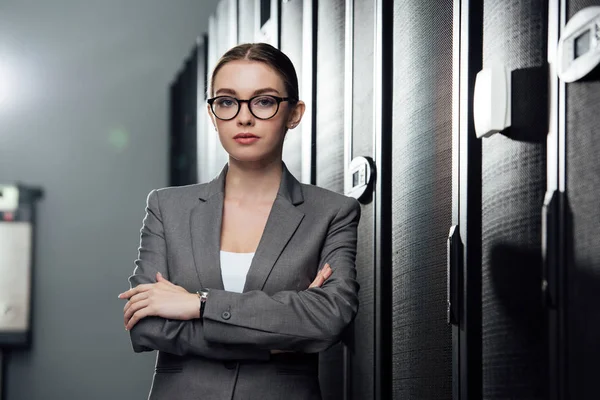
514,339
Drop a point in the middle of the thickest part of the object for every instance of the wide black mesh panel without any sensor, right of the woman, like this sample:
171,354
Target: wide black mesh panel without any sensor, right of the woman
422,199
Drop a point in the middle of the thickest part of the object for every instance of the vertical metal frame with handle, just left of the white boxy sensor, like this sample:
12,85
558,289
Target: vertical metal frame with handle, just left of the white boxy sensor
466,200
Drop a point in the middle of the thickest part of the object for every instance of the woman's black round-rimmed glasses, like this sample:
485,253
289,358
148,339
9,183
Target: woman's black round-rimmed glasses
262,107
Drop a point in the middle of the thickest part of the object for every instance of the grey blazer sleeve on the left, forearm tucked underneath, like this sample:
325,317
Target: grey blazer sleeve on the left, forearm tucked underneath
173,336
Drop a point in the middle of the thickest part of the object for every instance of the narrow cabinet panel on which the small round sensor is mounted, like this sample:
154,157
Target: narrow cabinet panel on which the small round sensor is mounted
359,135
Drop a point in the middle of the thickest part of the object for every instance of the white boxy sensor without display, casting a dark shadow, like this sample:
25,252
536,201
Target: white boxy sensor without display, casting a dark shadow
491,101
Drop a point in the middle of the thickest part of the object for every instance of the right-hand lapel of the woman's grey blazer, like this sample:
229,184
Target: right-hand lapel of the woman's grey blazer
281,225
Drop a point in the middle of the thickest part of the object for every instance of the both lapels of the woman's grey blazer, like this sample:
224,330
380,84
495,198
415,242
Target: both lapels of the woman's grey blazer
206,220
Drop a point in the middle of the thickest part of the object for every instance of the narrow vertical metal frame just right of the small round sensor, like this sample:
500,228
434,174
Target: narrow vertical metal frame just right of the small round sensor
382,155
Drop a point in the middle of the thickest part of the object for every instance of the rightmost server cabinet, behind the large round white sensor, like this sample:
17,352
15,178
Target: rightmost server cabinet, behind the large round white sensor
571,278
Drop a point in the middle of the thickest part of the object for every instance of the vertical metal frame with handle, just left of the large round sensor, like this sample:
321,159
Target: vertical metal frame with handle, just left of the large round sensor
554,215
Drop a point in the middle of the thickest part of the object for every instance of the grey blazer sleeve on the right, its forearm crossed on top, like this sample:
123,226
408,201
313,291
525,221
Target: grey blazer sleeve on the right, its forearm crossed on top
309,321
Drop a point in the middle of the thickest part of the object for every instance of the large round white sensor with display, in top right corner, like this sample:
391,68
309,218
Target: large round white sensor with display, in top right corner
578,51
